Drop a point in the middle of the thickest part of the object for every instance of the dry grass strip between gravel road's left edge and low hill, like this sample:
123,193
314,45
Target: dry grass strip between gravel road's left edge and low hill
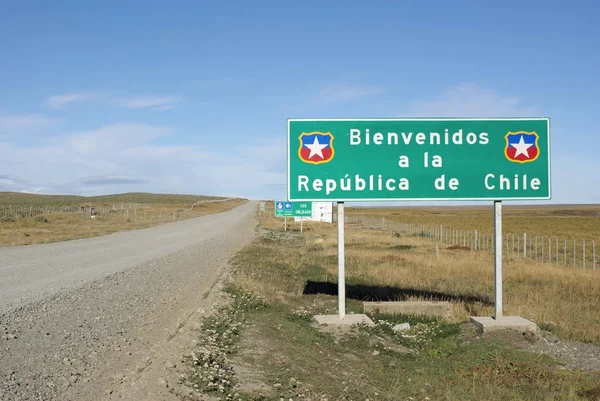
55,227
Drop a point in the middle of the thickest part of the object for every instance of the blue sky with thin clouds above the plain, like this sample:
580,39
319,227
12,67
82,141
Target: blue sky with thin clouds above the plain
193,97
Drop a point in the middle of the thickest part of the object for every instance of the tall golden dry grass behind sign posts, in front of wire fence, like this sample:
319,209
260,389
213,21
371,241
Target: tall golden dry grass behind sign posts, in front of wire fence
382,266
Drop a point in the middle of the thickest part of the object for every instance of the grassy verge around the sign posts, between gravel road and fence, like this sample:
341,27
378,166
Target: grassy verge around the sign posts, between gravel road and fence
291,276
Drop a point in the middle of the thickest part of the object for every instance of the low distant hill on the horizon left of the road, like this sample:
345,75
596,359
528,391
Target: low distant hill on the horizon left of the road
18,198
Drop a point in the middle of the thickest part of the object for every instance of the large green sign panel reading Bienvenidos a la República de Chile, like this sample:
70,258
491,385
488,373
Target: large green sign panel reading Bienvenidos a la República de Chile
419,159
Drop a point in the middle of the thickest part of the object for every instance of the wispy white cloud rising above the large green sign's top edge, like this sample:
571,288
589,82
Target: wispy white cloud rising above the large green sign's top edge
469,100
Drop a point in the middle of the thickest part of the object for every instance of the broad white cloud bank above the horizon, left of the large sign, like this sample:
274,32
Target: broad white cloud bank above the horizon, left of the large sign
125,157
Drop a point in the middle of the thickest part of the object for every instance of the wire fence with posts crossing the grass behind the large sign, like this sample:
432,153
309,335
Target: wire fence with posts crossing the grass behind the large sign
546,249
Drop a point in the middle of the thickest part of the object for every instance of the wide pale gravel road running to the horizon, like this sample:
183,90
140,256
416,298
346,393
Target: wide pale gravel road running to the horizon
110,317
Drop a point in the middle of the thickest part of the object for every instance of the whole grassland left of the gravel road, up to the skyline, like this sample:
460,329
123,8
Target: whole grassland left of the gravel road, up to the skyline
55,226
